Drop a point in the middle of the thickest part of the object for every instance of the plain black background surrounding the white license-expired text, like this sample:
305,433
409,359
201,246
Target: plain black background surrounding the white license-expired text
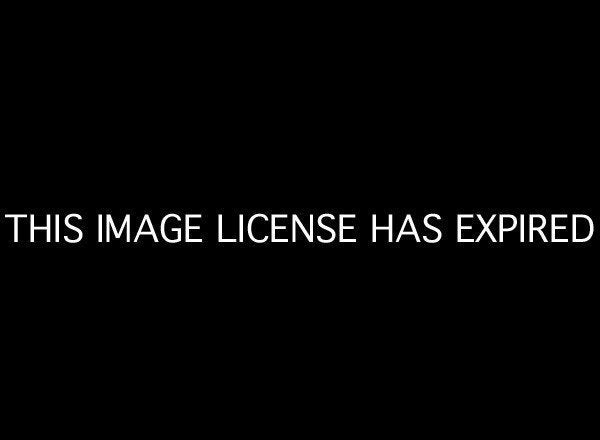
368,113
